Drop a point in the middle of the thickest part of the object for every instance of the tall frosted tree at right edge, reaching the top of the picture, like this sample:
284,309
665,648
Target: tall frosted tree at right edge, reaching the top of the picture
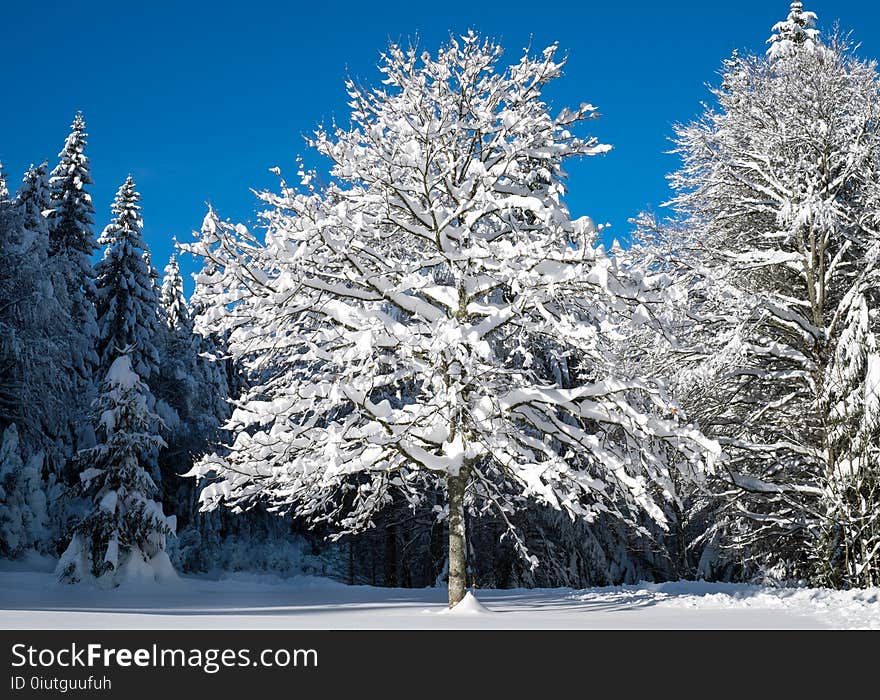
777,250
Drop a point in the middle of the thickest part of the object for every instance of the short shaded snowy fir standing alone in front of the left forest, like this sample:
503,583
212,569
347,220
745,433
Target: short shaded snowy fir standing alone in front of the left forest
122,538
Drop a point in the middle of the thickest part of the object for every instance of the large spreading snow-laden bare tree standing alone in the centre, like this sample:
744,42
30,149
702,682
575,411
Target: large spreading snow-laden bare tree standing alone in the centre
390,319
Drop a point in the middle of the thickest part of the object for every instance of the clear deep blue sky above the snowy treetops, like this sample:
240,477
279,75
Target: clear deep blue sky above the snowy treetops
199,99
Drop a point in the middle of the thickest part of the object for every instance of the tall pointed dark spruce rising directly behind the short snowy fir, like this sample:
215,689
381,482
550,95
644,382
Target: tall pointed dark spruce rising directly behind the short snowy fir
126,298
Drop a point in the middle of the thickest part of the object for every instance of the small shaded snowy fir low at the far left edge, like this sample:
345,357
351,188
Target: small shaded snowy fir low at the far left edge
22,497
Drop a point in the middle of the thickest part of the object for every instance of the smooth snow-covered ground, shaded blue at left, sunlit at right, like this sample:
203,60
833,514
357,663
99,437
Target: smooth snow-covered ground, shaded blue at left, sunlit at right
30,599
